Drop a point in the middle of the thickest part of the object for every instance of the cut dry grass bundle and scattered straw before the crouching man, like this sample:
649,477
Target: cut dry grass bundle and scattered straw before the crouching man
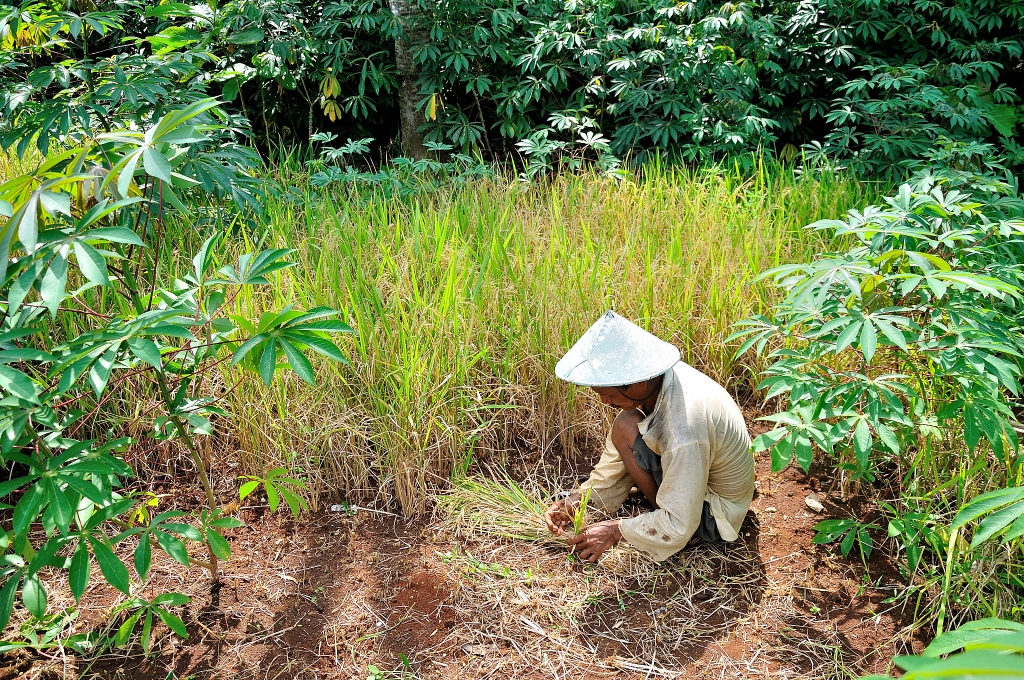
551,614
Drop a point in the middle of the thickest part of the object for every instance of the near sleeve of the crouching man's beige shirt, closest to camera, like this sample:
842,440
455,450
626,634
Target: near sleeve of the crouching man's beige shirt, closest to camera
681,496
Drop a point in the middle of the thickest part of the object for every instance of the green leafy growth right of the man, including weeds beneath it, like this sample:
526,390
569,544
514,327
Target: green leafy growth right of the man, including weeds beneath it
901,359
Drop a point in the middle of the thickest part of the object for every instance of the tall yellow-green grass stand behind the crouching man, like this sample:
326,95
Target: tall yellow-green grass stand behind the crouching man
464,300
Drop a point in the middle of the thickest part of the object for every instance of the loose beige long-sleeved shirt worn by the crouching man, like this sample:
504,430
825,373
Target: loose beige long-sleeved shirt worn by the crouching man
700,433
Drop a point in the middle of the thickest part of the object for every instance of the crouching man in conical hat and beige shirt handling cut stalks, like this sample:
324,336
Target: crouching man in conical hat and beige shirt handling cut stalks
679,438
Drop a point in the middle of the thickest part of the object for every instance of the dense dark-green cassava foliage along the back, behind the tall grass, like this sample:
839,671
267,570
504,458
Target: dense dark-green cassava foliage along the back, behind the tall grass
870,84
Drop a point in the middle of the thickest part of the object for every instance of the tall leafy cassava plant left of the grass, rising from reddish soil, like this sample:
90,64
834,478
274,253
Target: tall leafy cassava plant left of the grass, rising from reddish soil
90,319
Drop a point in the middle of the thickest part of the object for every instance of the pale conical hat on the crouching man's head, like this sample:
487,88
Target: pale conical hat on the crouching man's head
614,353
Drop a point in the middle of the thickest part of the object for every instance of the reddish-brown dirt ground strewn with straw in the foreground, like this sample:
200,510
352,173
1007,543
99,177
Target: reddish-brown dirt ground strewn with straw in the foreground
372,596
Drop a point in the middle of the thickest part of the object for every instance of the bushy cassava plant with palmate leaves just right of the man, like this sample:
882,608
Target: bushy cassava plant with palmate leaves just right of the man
908,337
